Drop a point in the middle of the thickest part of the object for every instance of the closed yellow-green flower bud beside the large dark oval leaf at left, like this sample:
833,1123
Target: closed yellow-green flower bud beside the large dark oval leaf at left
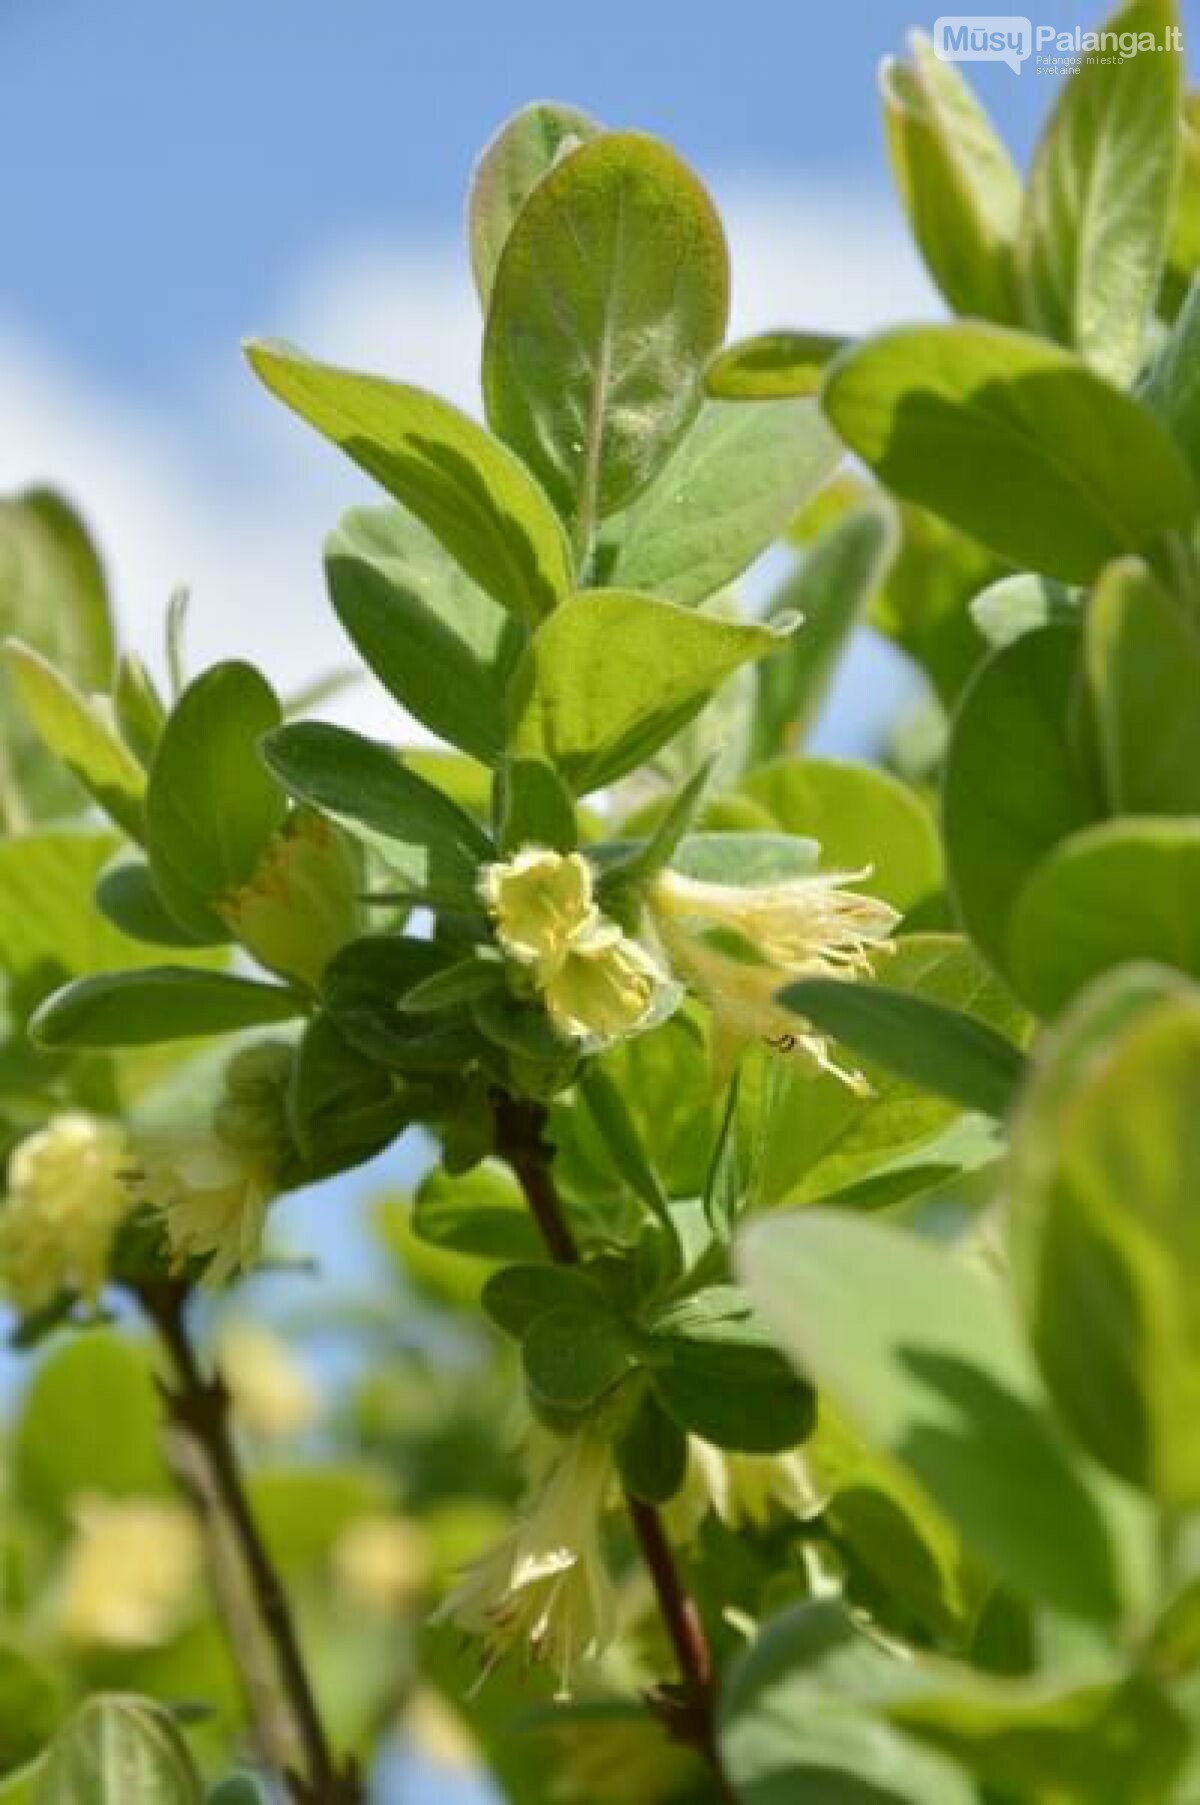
302,905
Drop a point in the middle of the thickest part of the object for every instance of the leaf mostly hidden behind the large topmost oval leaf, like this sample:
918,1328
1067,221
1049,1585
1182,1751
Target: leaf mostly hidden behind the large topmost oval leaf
515,162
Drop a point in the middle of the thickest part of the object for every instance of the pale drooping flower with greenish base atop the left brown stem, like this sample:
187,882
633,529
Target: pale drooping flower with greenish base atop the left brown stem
216,1185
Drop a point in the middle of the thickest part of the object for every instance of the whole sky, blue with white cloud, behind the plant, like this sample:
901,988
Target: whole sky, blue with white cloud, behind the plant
178,176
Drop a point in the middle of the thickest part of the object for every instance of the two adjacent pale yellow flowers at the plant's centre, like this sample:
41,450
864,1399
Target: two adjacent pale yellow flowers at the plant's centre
735,947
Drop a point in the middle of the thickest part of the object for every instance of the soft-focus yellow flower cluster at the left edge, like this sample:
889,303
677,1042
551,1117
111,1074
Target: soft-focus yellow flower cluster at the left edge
68,1196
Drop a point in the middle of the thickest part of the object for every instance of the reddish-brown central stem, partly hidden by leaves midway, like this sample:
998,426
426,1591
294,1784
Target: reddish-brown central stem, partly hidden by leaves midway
688,1708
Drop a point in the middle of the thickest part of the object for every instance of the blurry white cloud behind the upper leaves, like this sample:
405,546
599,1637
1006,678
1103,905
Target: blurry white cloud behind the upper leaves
230,495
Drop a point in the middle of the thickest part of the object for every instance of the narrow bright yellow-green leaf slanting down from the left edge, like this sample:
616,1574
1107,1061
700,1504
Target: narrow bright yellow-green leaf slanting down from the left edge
75,730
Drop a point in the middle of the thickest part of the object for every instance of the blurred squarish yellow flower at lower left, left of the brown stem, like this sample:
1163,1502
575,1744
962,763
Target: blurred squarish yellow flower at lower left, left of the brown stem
133,1573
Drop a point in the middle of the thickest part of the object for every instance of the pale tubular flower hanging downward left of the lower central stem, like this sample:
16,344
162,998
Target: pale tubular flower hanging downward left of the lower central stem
546,1587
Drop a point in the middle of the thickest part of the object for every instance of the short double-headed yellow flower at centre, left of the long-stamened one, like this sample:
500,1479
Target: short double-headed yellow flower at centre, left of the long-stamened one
595,981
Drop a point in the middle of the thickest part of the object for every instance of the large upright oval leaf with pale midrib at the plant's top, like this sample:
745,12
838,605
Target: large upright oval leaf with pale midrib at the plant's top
611,297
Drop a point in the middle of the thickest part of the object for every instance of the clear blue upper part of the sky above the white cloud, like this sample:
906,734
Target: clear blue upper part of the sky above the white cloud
169,169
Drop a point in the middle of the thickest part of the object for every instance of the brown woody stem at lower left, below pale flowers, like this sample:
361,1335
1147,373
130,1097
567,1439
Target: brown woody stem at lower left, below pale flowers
199,1407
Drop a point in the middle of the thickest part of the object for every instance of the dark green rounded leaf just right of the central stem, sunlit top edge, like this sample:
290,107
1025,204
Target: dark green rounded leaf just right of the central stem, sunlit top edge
719,1376
